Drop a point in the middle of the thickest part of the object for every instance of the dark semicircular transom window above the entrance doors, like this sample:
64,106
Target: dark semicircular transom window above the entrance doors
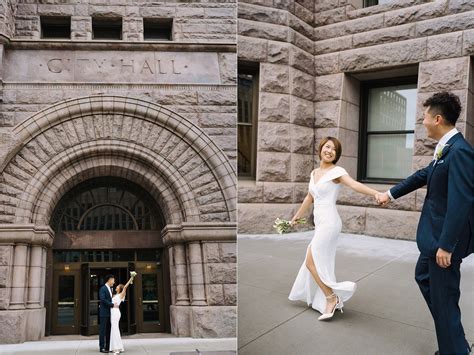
107,204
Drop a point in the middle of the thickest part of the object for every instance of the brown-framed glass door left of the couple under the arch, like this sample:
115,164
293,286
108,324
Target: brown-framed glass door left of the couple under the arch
66,305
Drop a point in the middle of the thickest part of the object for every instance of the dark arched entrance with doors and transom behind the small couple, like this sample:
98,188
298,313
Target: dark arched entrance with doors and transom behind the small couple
108,225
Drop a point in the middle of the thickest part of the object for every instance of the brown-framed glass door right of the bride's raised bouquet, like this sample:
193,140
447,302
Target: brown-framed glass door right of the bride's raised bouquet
150,311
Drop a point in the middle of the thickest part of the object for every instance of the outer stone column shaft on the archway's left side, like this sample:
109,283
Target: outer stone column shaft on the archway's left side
17,300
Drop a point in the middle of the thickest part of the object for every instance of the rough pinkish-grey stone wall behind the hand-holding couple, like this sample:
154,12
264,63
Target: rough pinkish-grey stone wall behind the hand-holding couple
315,60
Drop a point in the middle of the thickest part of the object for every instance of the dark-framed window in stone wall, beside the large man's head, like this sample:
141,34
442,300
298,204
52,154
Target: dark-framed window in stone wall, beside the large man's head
387,130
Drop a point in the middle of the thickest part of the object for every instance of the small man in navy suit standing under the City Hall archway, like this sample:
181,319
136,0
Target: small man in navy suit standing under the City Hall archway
105,297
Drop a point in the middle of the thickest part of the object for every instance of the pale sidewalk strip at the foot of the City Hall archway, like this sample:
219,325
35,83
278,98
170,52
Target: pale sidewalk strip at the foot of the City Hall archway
138,344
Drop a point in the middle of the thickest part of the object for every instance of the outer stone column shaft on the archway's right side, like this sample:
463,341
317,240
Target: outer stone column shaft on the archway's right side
198,295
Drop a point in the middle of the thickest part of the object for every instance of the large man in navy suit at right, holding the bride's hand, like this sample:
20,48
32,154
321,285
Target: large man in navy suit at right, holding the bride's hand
445,230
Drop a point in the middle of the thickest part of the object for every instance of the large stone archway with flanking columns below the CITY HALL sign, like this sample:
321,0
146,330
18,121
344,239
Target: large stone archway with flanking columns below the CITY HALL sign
72,141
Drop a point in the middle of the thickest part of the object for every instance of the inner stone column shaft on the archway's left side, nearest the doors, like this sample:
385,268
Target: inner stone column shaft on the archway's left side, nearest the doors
35,277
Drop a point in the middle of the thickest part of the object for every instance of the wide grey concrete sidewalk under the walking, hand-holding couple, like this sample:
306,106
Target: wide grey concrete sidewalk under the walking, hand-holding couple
386,315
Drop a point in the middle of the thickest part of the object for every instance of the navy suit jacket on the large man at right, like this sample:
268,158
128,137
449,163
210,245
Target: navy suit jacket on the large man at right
447,220
